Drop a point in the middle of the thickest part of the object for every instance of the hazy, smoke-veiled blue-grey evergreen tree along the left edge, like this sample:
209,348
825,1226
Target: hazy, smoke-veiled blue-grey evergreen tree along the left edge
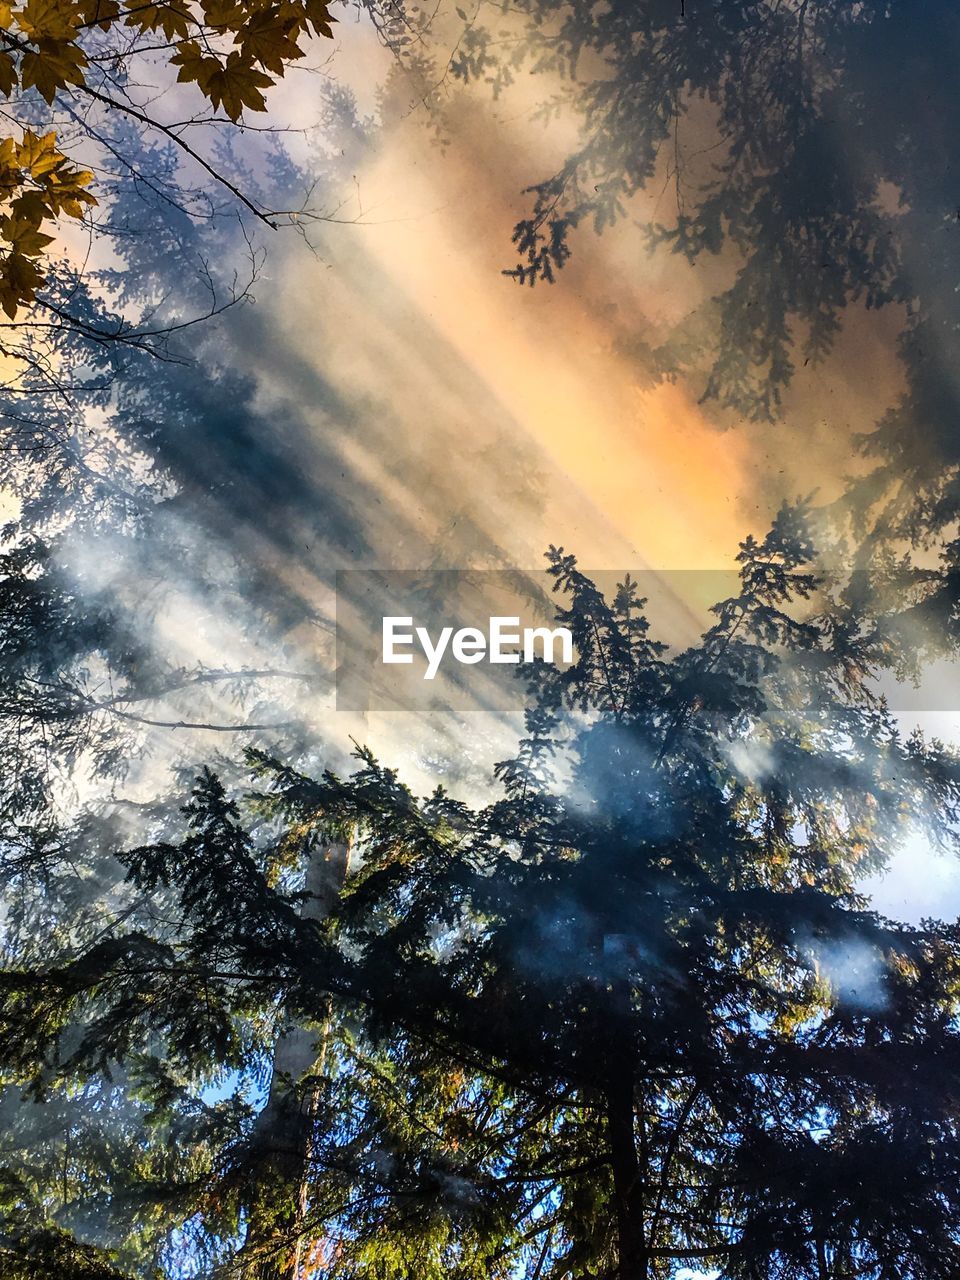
102,477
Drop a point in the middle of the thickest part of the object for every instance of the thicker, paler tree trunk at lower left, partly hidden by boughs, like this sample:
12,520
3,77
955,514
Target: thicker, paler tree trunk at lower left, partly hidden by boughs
284,1132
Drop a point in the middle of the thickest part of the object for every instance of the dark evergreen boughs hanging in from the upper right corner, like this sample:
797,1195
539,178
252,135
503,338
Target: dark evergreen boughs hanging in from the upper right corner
801,139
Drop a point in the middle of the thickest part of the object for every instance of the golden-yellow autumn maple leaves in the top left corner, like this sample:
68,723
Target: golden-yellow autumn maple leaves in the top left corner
231,51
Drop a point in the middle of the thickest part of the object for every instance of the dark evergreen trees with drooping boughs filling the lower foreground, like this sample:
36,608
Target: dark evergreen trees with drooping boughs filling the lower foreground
633,1016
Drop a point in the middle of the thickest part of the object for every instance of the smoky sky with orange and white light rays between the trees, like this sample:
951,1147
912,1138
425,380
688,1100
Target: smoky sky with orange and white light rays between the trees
392,401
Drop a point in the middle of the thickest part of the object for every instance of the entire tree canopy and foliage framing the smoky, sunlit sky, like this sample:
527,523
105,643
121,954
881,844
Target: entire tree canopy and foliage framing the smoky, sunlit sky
636,1013
